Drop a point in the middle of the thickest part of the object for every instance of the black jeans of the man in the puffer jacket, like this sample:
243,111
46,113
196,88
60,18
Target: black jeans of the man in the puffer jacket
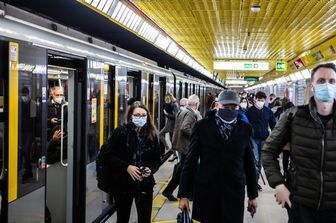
302,214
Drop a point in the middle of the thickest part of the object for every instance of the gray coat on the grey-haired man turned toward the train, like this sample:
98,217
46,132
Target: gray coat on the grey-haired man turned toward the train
184,122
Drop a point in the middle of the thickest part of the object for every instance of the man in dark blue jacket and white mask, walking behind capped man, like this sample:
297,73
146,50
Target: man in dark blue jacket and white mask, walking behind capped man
261,119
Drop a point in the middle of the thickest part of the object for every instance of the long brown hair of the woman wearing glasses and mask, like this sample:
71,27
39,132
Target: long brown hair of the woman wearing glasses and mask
151,130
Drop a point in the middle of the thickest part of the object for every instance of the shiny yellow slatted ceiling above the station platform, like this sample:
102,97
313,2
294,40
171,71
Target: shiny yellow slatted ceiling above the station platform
227,29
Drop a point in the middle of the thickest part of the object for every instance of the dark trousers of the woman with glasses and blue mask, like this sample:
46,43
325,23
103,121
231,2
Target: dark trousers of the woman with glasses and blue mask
143,201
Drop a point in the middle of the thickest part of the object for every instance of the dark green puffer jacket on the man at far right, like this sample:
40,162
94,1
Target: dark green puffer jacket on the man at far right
313,151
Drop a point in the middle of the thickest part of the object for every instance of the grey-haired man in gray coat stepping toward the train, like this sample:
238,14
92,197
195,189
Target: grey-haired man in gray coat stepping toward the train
185,120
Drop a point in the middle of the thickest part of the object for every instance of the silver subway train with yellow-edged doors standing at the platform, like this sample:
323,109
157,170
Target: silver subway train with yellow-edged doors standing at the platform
98,81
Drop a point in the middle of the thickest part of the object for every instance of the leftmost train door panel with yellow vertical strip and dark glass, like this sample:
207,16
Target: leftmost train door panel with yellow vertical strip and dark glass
26,192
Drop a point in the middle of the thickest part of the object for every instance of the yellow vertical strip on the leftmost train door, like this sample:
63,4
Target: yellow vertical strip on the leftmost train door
13,120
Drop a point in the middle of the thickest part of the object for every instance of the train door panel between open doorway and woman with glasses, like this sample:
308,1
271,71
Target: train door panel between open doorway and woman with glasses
96,200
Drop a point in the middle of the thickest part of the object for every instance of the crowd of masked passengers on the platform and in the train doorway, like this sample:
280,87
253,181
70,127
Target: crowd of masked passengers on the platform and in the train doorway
221,154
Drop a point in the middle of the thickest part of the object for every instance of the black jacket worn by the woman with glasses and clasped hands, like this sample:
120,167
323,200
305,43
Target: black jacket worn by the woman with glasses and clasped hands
123,144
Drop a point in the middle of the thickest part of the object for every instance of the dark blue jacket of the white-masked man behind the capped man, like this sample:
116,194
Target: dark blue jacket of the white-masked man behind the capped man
260,120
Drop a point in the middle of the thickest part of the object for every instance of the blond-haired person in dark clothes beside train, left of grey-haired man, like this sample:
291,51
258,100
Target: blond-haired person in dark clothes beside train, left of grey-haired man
169,110
